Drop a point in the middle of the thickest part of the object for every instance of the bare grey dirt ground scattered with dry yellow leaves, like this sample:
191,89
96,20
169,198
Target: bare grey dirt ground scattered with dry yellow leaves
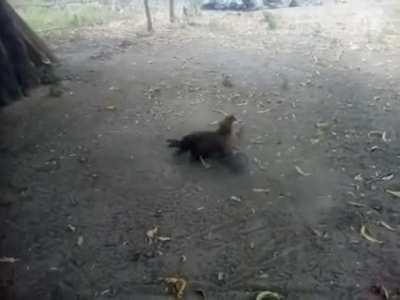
86,175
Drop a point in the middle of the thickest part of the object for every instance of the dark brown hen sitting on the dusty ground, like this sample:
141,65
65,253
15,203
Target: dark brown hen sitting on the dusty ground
205,144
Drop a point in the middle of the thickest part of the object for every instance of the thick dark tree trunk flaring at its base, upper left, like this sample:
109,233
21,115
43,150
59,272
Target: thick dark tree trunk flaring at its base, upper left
23,56
